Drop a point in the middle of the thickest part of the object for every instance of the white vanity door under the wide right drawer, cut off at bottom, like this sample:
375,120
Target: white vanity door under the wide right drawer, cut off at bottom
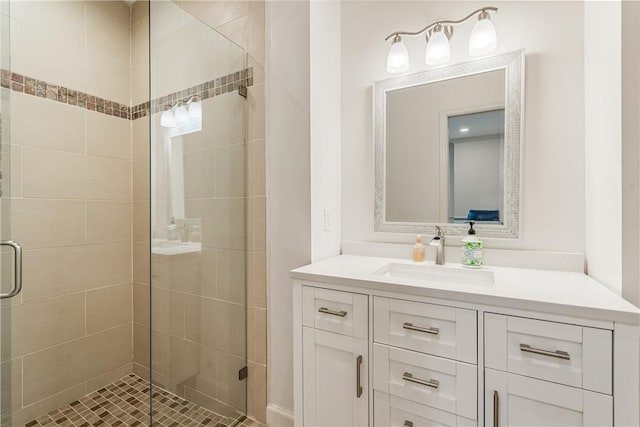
513,400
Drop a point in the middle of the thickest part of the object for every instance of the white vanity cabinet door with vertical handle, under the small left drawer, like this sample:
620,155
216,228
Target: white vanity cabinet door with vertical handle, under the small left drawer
335,379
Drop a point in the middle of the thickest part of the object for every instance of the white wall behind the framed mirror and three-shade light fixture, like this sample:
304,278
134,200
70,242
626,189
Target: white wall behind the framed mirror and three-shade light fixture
553,170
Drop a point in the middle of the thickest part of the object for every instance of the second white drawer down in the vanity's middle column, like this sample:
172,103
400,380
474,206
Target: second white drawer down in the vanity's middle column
433,381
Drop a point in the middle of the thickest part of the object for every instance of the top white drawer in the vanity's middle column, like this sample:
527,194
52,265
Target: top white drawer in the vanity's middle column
428,328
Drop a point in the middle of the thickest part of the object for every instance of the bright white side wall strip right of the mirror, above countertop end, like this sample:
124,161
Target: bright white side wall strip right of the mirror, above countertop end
603,169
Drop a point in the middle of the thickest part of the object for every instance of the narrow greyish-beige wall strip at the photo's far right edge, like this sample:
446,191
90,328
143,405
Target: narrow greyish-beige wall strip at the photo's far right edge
631,152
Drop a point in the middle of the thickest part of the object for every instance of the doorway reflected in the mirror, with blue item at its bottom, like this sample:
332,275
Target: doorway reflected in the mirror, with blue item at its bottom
476,172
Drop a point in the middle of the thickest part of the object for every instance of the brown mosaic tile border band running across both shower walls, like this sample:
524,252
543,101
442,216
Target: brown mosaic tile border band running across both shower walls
47,90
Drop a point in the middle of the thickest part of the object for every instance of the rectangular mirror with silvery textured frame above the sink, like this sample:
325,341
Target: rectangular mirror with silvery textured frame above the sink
448,148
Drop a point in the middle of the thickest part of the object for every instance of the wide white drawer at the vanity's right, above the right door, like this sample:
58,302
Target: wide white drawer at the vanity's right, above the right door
567,354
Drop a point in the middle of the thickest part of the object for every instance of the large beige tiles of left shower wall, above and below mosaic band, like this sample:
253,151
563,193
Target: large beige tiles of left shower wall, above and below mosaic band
72,207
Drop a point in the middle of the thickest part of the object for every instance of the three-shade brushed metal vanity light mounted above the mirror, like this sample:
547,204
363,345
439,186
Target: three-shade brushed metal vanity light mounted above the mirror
483,40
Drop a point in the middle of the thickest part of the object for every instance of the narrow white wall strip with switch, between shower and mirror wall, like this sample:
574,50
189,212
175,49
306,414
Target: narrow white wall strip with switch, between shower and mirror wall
325,128
